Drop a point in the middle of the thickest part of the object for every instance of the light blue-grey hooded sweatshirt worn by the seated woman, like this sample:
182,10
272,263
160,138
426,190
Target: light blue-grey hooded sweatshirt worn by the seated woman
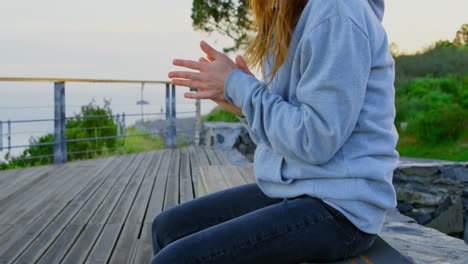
324,126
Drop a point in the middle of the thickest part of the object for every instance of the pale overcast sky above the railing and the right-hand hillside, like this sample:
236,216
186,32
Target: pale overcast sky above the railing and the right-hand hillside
137,39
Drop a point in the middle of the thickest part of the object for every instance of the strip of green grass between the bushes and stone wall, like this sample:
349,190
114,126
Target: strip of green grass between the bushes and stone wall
409,146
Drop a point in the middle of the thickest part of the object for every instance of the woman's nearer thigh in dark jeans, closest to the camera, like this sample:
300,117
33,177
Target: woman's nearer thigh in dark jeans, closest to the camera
291,231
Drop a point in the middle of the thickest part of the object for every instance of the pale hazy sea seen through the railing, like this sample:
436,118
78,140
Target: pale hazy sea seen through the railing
29,101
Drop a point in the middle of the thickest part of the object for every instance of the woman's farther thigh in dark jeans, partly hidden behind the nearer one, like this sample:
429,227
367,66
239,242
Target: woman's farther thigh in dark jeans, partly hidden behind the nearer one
206,211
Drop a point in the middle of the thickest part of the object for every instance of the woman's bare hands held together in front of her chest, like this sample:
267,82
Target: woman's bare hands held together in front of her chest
209,76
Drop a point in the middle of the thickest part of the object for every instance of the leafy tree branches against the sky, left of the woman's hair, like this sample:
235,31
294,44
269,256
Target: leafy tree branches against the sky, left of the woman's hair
231,18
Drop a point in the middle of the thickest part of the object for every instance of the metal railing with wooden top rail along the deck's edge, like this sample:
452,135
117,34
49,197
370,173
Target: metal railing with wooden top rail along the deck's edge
61,142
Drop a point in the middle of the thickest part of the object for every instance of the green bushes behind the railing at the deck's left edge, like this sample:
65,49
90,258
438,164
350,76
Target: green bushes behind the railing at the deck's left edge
92,122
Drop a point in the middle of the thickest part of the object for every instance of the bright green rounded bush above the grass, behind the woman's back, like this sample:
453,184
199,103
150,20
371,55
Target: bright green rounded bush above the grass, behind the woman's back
434,108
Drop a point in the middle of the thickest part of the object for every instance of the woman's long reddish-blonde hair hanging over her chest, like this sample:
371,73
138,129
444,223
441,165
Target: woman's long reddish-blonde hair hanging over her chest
275,21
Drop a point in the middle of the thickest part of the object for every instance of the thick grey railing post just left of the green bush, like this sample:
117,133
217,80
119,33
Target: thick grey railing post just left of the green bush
60,132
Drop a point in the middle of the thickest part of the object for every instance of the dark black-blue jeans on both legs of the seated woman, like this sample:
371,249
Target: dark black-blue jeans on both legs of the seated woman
243,225
